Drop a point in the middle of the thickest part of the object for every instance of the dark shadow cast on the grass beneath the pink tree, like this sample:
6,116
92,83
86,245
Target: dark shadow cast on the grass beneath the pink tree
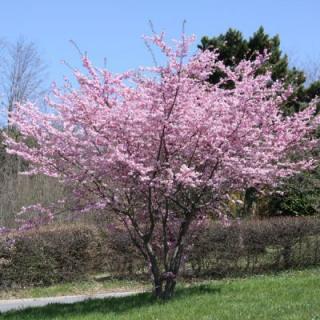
105,306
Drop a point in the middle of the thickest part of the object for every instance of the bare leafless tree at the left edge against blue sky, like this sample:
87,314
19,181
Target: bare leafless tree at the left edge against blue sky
22,73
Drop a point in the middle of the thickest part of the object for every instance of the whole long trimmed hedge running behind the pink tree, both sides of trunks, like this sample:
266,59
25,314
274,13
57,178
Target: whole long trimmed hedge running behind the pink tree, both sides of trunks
56,254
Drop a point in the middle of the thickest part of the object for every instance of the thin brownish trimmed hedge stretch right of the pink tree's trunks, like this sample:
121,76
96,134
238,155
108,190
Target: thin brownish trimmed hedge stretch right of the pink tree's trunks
256,246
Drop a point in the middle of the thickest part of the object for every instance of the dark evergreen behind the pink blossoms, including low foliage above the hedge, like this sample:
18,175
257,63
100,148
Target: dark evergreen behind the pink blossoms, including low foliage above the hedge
299,194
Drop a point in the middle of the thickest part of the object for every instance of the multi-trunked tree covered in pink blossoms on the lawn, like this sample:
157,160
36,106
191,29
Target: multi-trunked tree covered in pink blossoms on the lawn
160,147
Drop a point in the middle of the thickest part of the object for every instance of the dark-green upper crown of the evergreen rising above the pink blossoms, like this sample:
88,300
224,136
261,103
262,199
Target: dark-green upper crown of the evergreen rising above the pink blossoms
233,47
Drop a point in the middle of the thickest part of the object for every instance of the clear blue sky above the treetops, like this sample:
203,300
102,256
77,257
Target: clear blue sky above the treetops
113,29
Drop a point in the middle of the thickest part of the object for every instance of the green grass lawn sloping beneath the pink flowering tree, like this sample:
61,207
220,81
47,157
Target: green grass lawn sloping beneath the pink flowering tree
290,295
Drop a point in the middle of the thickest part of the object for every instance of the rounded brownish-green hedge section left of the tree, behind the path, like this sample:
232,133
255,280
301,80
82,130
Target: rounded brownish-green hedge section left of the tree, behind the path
48,255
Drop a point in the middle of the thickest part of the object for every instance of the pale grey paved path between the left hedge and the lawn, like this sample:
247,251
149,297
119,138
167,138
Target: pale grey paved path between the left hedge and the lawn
15,304
